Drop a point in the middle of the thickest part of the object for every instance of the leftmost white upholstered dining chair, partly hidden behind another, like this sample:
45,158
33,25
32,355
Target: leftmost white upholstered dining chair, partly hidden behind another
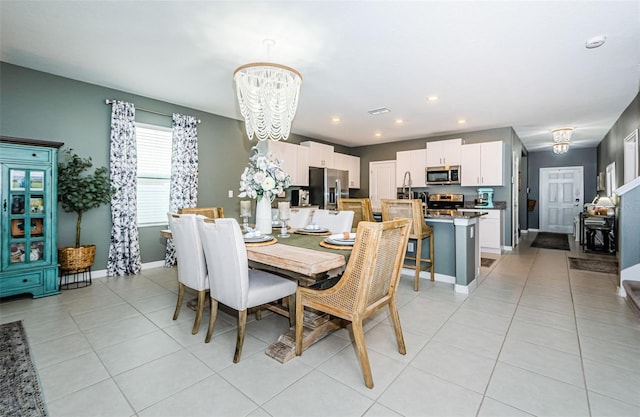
192,268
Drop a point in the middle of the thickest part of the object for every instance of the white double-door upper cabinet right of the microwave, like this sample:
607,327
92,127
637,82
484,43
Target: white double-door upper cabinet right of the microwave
482,164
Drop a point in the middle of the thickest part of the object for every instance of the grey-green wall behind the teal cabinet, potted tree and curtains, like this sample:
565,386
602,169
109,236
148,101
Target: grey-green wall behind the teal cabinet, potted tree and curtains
38,105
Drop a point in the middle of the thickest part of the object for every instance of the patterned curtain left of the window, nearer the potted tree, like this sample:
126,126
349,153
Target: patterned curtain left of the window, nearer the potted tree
124,251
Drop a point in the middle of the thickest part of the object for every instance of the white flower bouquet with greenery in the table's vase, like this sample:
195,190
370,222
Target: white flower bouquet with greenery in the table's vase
263,177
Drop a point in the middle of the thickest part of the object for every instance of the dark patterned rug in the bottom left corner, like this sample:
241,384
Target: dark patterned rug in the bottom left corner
19,385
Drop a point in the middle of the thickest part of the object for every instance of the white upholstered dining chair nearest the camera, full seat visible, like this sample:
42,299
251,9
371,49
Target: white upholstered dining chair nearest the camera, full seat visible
232,283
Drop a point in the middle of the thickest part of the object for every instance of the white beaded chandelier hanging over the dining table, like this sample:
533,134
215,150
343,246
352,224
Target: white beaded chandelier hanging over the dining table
268,98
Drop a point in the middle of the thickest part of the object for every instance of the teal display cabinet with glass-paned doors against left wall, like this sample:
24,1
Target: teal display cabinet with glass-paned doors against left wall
28,258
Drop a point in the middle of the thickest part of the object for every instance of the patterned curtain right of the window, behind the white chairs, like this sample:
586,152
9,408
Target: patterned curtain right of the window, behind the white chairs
184,171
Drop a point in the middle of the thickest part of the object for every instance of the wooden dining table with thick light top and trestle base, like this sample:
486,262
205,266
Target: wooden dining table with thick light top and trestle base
306,258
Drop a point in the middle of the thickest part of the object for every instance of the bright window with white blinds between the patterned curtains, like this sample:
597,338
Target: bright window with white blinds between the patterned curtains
154,173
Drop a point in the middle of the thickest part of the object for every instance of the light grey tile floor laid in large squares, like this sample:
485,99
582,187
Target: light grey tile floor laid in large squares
534,339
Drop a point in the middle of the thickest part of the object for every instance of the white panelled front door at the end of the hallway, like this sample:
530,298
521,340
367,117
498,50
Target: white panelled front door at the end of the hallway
561,198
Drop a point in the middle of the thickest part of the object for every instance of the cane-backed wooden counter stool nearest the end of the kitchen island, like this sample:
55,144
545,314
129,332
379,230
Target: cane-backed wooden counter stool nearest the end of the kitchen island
412,209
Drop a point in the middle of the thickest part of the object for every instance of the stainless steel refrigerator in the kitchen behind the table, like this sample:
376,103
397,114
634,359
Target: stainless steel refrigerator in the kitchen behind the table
326,185
